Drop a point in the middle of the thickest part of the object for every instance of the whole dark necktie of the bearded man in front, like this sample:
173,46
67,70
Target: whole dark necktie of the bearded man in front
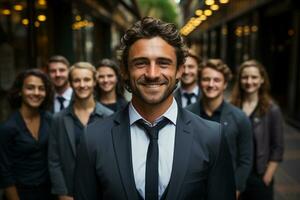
151,183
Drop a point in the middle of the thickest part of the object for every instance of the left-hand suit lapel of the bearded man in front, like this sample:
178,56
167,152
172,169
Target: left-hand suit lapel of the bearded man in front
122,146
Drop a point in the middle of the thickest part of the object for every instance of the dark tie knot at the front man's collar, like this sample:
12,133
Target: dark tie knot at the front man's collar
152,131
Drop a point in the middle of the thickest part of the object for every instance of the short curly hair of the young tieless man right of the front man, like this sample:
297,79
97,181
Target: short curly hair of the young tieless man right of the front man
218,65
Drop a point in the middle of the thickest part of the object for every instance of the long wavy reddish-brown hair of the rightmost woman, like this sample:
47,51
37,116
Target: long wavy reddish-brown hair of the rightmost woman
237,96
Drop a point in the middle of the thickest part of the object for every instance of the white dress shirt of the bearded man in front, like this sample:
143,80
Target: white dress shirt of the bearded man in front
140,143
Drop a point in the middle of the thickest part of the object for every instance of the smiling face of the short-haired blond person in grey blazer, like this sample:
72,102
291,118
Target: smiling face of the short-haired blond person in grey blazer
83,83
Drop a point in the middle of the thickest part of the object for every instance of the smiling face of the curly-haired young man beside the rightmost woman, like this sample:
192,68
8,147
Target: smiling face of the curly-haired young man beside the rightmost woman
212,83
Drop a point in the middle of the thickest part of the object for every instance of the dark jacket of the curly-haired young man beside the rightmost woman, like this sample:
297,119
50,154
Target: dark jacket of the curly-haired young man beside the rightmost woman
238,131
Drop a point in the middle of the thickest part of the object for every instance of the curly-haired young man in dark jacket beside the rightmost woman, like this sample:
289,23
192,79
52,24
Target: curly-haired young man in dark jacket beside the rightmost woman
214,76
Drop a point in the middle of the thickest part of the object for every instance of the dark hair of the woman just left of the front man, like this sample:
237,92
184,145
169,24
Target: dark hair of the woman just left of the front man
114,66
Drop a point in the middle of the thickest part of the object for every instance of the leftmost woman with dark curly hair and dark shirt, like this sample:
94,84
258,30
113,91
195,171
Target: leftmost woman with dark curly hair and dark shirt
24,138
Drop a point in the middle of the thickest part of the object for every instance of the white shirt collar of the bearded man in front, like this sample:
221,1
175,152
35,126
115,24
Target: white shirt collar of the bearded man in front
171,114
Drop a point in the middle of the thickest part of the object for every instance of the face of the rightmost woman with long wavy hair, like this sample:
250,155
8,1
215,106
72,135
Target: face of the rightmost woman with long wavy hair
251,80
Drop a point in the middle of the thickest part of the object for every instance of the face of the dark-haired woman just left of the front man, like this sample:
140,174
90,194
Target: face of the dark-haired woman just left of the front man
107,79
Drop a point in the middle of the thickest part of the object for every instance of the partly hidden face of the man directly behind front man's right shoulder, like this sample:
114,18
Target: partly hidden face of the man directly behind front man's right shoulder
190,73
